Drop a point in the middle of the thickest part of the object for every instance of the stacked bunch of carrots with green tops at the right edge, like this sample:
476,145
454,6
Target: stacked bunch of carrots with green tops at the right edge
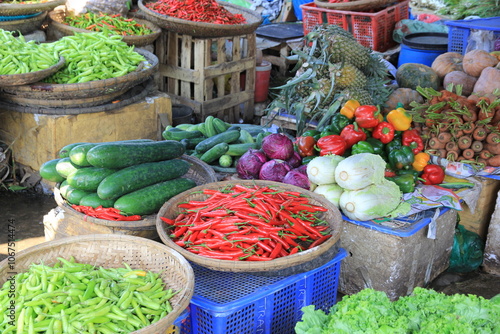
458,128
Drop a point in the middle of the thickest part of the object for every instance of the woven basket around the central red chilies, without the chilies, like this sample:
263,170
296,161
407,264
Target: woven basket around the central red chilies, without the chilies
170,207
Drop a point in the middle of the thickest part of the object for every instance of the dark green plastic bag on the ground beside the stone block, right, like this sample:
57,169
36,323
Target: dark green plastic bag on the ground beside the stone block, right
467,251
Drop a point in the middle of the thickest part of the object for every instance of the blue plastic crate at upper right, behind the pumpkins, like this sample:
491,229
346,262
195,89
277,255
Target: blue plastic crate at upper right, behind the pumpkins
459,31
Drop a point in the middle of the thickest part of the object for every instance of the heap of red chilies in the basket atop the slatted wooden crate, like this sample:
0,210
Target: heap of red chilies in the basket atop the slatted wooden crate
196,10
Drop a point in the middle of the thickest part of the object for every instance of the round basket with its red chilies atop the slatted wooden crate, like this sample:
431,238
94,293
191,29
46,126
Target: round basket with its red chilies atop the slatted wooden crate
201,18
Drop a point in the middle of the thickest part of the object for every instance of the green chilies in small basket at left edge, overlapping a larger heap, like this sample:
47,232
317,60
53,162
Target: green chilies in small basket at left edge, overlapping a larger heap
18,56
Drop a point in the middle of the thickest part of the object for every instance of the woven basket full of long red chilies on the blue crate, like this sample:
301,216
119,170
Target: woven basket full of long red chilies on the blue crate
249,225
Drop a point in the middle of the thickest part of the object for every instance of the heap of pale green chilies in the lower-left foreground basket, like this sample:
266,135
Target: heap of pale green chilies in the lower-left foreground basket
72,297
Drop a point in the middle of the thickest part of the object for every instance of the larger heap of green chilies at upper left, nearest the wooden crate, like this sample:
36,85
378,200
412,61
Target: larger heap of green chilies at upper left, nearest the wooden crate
93,56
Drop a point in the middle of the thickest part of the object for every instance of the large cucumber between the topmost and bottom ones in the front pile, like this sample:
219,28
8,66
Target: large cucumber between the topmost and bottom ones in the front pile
139,176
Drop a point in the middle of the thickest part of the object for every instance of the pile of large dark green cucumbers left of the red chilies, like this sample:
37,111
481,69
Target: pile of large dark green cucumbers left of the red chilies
134,176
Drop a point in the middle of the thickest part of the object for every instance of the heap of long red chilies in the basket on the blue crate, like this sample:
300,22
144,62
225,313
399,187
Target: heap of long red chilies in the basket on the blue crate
248,223
